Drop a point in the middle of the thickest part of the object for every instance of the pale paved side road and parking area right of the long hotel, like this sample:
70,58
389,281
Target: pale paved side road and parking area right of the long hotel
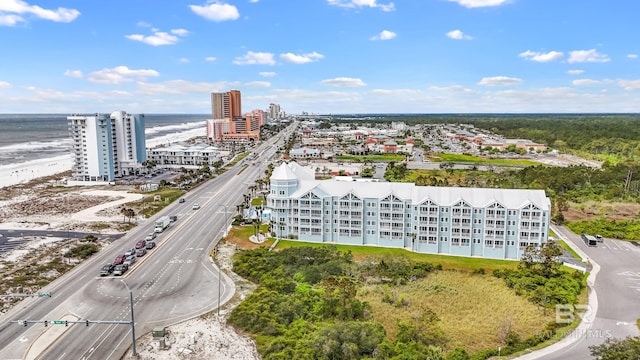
617,289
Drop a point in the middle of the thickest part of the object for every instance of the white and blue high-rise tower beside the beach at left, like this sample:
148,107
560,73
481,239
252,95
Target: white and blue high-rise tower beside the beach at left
107,146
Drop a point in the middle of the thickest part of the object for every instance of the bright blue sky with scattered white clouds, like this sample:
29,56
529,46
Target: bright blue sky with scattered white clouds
320,56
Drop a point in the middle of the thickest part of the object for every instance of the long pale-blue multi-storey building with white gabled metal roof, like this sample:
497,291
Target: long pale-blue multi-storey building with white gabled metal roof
482,222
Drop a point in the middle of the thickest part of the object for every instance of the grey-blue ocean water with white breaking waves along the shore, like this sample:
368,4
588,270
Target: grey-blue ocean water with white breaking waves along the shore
28,137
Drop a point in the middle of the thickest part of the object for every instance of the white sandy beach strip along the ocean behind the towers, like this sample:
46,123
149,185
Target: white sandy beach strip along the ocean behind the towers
23,172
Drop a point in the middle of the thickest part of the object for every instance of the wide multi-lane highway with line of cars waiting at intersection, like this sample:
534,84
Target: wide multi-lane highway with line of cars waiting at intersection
173,282
